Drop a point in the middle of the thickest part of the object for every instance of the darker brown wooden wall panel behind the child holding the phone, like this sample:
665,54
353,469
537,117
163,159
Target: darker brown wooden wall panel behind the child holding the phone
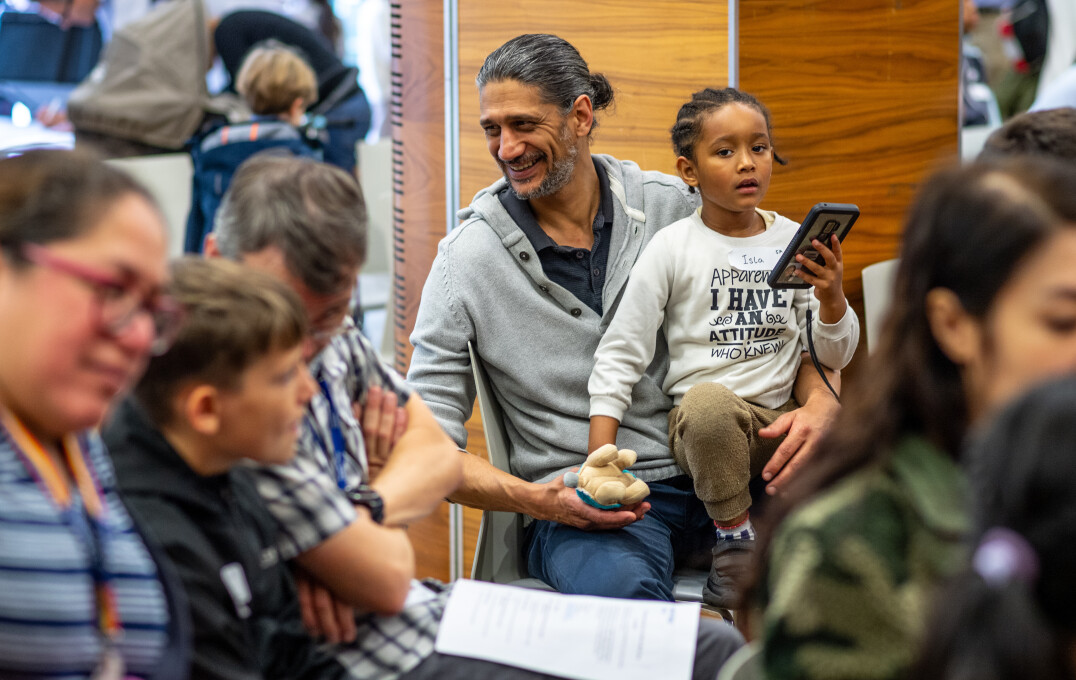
865,101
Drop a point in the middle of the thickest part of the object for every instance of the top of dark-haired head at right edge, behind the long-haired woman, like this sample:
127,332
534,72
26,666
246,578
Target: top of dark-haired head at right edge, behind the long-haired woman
1051,133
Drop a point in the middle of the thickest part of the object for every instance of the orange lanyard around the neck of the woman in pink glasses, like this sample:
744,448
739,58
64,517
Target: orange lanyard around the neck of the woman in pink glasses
90,528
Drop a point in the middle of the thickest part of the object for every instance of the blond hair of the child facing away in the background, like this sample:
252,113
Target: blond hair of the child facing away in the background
273,77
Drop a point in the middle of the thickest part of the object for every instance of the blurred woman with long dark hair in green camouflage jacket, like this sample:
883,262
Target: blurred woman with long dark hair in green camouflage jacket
984,307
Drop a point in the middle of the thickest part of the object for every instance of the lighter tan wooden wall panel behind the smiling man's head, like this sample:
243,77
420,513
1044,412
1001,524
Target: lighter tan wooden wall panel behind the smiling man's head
639,46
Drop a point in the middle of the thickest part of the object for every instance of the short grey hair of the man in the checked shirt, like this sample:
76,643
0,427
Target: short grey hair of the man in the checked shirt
314,212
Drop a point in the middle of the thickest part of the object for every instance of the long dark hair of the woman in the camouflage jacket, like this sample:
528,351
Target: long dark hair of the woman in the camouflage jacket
969,231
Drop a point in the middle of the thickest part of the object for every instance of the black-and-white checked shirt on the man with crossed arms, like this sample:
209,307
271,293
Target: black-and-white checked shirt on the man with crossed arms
307,500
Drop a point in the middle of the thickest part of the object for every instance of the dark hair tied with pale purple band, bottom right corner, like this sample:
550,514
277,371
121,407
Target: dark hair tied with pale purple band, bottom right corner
1013,614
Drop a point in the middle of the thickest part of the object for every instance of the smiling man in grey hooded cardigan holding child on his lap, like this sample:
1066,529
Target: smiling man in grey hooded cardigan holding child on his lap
532,278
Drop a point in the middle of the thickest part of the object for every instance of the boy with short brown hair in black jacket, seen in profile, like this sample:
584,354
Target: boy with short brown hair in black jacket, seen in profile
233,388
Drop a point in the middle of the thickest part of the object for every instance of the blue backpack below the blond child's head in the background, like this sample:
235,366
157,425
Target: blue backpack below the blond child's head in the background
217,157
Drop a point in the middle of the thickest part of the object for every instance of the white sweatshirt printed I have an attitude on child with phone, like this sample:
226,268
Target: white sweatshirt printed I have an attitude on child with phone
723,321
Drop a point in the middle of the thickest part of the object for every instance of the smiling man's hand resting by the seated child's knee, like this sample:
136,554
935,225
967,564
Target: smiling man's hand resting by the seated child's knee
805,429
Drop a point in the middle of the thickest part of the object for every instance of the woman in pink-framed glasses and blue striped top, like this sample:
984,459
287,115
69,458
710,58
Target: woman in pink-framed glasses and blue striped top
82,270
